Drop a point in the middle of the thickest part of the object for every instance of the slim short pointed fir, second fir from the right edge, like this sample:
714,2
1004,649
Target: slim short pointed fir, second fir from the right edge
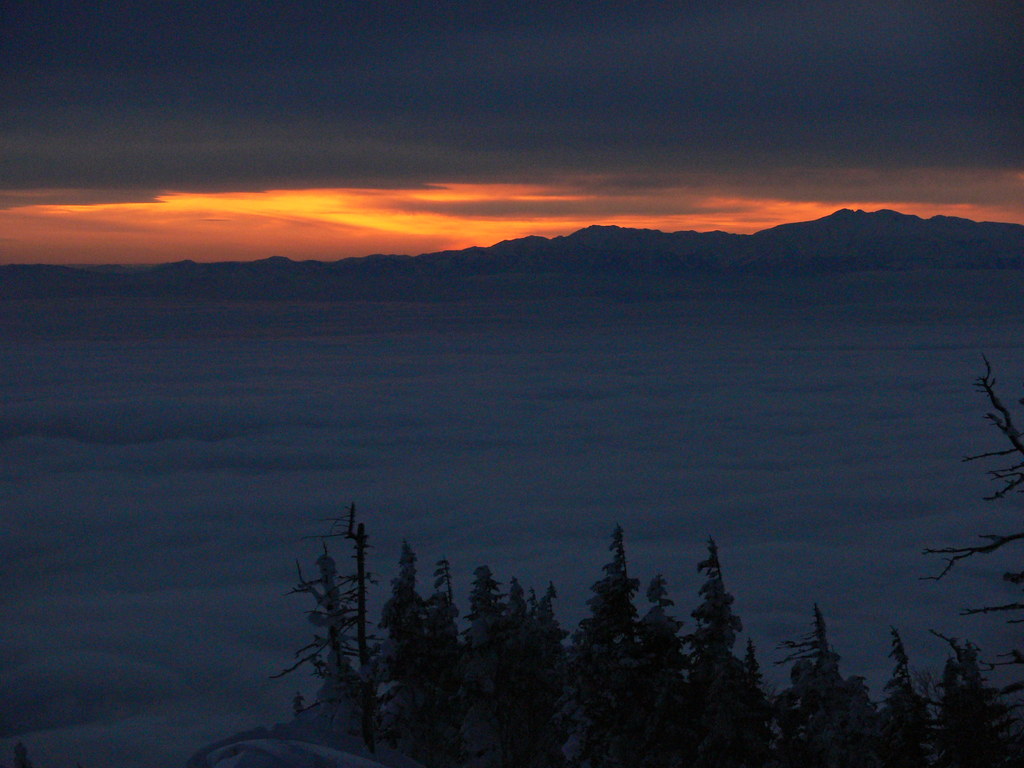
906,723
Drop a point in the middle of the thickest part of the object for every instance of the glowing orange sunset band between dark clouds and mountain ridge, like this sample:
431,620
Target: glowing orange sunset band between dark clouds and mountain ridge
333,224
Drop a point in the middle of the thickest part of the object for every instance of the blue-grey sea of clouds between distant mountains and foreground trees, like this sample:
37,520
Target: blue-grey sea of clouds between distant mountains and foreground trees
160,467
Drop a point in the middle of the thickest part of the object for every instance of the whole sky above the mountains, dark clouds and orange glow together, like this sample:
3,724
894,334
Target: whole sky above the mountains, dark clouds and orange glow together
156,132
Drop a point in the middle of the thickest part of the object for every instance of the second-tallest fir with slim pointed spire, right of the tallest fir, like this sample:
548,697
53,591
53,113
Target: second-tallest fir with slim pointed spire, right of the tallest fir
733,728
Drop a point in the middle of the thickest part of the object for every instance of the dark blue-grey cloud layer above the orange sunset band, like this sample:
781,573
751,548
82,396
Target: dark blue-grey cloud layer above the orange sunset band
258,96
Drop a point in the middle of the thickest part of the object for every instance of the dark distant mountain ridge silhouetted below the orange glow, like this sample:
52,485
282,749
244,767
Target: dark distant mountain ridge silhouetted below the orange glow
845,241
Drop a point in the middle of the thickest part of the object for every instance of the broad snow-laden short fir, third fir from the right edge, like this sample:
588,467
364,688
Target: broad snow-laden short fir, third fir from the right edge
825,721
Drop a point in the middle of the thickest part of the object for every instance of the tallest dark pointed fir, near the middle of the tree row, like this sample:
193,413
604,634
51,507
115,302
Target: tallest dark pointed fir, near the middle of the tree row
605,711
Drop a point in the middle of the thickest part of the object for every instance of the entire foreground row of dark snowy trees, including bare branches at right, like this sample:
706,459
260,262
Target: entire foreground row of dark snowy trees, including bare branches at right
629,688
